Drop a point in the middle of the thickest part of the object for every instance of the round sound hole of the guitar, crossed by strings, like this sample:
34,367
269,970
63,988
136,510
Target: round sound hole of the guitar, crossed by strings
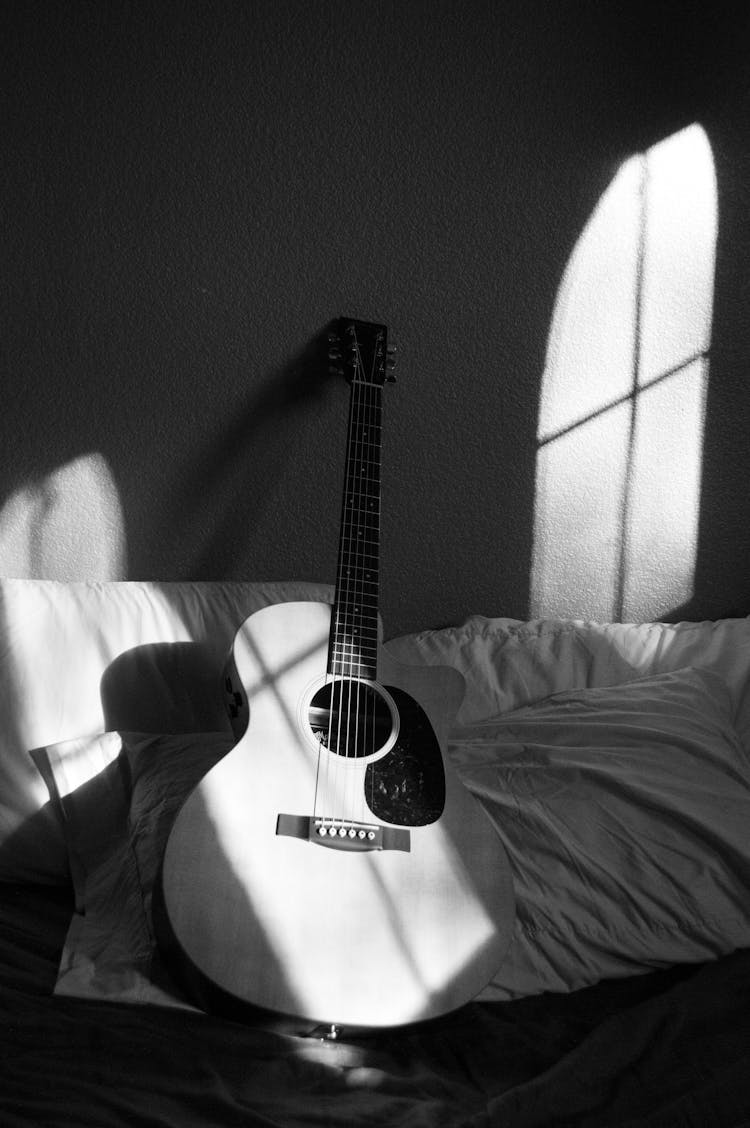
350,718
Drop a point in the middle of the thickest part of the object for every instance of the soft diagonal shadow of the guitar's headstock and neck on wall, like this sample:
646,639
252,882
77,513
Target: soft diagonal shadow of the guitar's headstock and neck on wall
227,484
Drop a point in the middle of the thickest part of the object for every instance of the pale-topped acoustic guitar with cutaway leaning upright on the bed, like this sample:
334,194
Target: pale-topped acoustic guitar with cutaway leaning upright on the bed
332,867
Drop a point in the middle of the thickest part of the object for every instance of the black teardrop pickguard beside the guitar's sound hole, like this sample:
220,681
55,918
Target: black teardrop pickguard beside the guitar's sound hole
408,786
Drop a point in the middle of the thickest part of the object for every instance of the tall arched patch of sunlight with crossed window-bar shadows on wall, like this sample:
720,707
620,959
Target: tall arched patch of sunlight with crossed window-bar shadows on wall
624,392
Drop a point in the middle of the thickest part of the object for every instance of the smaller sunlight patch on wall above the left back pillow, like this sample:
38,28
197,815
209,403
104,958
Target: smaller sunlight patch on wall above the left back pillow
68,526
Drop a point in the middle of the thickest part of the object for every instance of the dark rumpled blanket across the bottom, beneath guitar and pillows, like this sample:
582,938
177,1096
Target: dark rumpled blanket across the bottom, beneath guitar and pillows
669,1048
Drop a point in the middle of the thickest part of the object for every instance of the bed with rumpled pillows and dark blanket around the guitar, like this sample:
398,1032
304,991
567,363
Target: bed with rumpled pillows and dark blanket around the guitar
614,762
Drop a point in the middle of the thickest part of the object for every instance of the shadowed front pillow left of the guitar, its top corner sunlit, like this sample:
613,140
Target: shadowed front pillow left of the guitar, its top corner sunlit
117,825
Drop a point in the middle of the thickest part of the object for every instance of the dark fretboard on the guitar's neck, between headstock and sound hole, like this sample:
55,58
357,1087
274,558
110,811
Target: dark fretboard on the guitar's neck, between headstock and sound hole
354,649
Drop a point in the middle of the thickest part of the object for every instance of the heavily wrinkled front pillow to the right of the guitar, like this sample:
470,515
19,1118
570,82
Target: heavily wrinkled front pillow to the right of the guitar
624,813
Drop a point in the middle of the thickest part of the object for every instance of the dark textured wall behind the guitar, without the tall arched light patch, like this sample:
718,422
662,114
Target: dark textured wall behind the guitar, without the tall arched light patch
191,192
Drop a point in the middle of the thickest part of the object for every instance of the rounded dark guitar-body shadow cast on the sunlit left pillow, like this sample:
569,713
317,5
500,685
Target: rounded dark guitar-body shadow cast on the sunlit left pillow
164,688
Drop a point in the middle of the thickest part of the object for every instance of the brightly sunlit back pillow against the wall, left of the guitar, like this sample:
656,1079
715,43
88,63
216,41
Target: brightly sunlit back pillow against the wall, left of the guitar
81,658
